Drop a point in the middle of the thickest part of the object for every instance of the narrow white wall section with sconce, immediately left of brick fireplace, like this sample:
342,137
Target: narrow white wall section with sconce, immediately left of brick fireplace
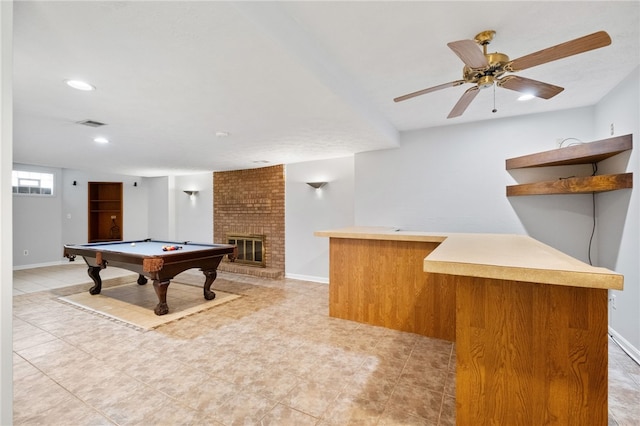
194,218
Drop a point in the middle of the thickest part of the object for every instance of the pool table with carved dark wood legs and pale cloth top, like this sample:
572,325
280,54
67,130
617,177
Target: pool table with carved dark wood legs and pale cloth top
160,261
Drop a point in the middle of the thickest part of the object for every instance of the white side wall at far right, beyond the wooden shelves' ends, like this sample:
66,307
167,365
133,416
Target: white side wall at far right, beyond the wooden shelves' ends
619,211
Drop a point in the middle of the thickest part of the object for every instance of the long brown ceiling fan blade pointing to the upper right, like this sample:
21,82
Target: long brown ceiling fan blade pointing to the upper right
563,50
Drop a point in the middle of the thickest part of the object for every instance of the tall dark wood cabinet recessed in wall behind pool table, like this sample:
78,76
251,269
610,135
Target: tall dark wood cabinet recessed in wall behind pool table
105,211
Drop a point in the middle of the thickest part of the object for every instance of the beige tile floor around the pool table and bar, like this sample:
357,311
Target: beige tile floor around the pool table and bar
271,357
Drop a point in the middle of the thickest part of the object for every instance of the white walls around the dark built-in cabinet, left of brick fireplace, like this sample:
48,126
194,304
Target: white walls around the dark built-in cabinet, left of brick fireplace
153,208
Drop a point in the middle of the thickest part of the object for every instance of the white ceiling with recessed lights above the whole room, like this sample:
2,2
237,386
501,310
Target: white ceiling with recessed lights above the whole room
289,81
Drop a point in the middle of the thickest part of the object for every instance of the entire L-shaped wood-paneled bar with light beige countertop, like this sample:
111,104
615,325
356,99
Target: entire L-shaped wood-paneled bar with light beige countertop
529,322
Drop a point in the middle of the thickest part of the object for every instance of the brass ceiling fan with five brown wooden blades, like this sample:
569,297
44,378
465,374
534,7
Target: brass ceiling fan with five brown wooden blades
486,69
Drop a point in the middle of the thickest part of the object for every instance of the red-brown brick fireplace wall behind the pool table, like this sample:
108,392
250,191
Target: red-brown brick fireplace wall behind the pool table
251,203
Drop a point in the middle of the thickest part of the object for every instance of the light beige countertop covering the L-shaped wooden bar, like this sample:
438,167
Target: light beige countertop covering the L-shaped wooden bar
497,256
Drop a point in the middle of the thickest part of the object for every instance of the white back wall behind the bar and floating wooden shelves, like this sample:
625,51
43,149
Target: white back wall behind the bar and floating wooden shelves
453,179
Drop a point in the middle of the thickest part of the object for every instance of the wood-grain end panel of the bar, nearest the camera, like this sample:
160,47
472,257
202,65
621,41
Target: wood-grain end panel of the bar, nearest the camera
530,353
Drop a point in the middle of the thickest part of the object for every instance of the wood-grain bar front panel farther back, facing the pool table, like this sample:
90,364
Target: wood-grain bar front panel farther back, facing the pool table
381,282
